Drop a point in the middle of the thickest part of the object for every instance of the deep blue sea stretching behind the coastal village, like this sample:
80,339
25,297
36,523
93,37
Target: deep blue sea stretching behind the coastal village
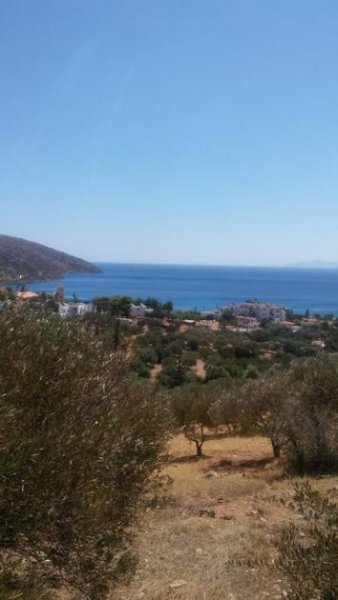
207,287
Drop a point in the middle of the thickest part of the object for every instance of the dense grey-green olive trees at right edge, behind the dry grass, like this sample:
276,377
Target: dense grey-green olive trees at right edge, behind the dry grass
296,408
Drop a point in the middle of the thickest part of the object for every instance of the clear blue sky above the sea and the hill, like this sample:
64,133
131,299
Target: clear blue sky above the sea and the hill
178,131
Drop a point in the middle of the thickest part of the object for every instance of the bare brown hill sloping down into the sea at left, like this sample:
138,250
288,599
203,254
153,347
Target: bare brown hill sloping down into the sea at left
25,260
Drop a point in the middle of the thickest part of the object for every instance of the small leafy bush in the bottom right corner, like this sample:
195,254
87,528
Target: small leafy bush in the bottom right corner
308,555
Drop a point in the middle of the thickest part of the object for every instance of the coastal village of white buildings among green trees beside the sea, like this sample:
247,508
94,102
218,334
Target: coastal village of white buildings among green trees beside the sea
174,348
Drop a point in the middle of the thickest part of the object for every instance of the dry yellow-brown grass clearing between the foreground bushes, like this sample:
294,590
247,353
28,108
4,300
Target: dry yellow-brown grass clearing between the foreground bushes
216,538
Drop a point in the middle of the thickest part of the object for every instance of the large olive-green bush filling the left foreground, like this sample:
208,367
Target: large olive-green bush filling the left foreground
78,443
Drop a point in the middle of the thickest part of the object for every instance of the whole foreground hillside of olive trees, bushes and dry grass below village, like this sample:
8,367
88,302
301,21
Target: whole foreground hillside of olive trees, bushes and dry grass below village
165,481
